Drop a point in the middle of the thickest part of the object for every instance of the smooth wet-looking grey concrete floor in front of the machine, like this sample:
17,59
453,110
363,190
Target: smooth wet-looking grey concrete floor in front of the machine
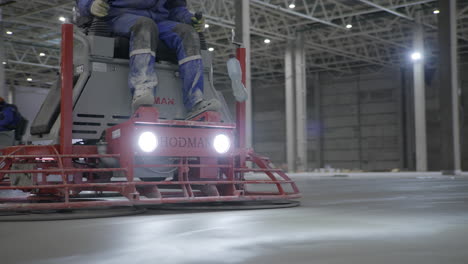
342,220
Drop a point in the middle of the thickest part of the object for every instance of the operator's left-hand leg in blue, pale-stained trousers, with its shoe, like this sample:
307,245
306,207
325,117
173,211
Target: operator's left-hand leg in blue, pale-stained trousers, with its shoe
143,34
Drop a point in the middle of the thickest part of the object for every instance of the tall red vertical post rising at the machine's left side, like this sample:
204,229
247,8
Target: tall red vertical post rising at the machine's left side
66,105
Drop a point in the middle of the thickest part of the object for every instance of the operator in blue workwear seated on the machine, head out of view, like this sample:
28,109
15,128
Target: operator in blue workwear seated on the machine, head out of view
143,21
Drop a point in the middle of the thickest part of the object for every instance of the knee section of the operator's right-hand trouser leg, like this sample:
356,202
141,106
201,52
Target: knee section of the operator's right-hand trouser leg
190,42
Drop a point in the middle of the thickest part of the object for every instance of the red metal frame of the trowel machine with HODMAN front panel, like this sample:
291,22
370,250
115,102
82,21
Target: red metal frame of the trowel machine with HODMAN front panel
202,174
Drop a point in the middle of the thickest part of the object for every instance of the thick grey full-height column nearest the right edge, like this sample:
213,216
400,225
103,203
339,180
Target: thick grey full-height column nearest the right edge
449,88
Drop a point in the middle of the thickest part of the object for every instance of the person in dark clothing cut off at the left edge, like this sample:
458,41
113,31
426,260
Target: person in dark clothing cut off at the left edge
12,124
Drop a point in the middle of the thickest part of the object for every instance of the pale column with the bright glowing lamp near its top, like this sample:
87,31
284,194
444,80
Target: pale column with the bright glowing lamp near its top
419,101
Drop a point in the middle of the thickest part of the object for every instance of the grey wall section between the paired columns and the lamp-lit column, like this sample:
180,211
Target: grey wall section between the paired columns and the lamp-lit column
359,122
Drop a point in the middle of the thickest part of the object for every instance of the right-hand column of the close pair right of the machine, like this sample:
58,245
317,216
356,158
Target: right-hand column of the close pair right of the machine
301,104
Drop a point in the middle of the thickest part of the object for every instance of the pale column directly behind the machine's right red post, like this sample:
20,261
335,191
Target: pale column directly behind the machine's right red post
243,36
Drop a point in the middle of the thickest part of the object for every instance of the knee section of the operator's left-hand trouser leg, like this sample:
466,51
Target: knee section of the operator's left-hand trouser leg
144,37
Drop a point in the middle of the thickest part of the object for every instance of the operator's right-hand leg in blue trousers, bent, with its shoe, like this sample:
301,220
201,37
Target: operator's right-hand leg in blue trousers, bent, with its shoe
184,39
